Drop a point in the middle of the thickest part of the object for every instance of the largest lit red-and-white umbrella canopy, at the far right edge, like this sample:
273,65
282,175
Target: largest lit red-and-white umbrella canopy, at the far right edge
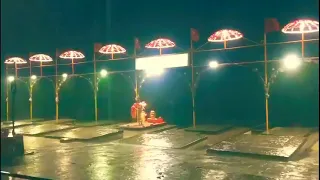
301,26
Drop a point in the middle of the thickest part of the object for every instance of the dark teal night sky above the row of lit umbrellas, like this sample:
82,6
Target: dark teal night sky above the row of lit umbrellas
42,26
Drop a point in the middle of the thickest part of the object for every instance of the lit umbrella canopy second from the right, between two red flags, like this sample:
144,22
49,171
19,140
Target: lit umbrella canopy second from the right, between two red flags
225,35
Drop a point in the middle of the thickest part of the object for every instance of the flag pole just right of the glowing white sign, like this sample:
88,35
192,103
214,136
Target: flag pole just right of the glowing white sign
192,81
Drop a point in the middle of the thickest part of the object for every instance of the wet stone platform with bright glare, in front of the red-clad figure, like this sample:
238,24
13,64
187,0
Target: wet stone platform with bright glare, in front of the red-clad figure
169,139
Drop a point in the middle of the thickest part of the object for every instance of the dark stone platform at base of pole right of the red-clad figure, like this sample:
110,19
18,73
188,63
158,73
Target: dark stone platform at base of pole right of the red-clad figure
209,129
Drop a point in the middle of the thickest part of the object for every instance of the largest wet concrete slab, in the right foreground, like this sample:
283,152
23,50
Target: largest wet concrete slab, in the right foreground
268,146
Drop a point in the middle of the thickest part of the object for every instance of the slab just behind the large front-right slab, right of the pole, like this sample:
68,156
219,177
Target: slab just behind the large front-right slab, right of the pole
289,131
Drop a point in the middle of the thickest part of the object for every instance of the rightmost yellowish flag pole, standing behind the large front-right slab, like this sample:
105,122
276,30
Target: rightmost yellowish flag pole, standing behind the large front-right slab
266,86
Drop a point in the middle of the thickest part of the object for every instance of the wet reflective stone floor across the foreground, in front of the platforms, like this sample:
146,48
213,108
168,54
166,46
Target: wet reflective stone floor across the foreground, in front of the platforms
118,161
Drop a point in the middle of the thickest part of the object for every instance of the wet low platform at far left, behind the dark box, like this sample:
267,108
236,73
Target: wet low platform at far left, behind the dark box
41,129
